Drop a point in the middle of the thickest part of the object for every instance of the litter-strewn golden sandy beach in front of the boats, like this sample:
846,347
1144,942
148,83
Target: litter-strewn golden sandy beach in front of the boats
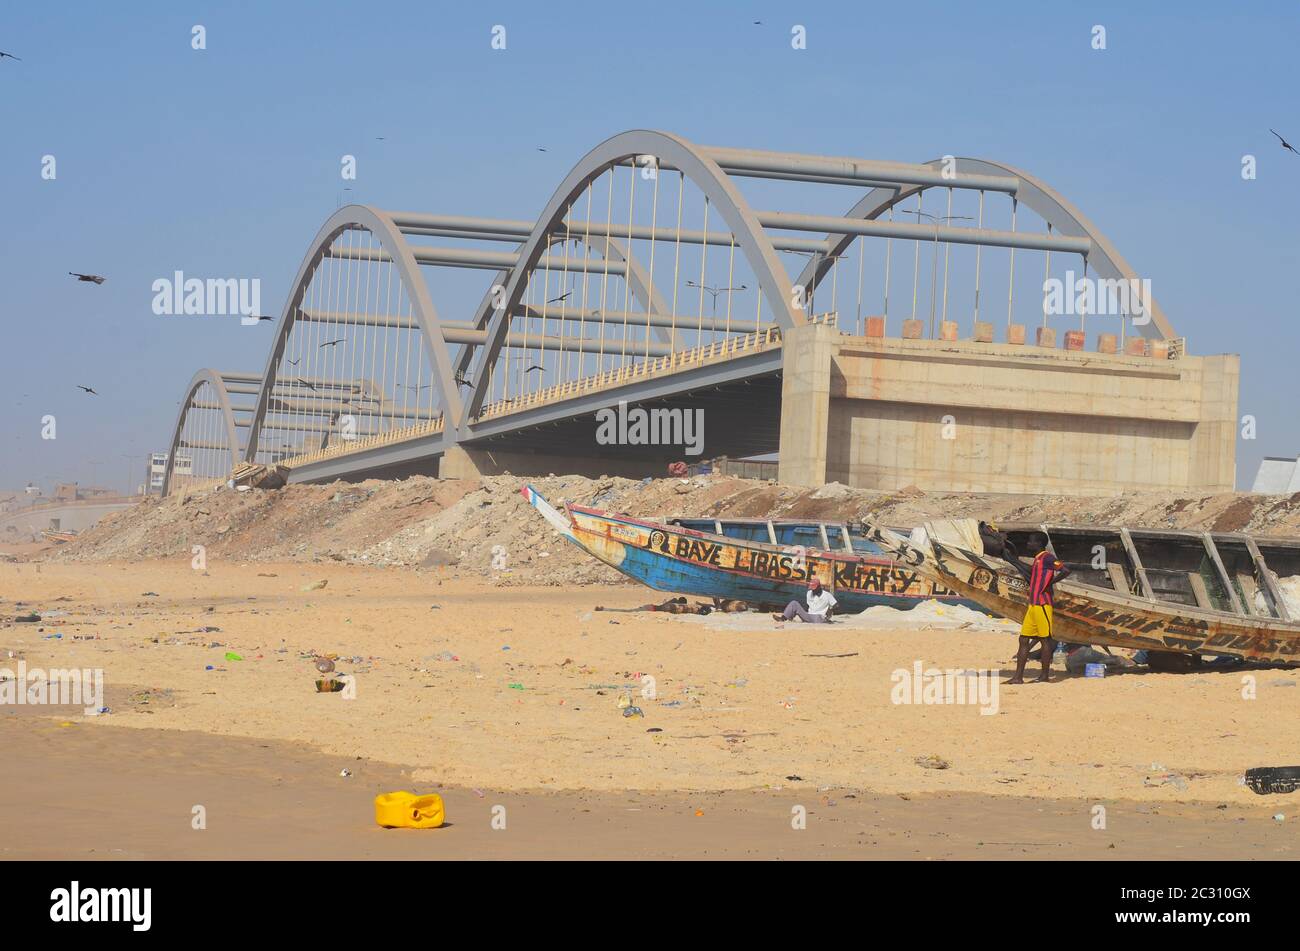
463,685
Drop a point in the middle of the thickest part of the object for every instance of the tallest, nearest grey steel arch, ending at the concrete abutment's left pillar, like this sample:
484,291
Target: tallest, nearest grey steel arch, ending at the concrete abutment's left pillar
704,172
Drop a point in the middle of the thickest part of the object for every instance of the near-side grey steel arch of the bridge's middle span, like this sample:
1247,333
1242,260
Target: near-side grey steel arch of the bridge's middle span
392,240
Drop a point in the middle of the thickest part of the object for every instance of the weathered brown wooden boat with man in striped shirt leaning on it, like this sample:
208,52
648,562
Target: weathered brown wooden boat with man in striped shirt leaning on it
1220,594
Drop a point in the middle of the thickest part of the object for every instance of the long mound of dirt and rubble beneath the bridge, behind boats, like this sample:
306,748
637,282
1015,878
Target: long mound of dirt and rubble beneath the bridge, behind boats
486,527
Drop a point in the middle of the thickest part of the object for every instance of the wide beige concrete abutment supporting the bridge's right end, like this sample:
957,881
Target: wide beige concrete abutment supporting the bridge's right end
989,418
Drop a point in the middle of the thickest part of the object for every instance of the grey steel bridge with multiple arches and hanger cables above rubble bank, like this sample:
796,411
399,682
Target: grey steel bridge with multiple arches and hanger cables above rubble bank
603,298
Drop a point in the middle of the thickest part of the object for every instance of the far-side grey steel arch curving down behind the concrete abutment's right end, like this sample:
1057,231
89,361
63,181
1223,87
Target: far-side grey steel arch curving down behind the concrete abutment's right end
1035,194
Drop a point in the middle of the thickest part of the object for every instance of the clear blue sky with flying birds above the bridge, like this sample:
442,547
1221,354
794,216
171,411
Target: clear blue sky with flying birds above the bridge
226,162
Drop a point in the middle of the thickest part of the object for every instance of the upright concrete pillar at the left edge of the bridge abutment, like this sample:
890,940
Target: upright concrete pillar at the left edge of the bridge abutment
808,355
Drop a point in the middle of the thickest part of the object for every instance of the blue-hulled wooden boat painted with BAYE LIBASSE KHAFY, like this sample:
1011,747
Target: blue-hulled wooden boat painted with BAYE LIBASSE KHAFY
674,558
